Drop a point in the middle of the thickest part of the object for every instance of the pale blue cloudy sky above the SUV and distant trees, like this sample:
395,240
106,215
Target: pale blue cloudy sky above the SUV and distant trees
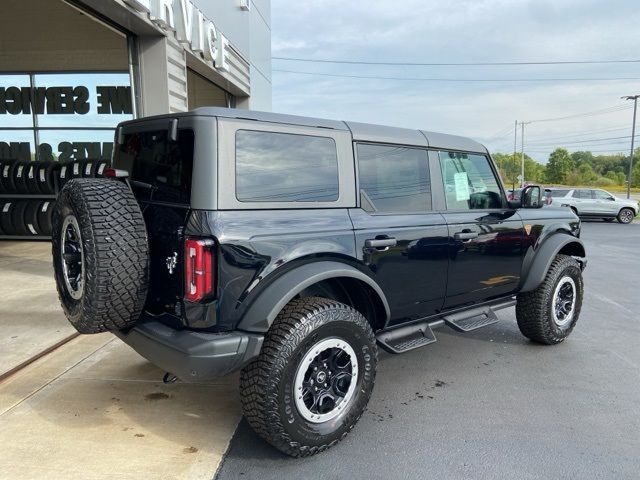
464,31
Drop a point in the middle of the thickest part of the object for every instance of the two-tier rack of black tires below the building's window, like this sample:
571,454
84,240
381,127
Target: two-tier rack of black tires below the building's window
28,190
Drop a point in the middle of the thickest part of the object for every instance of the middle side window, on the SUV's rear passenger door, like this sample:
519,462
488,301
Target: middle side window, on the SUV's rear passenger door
394,179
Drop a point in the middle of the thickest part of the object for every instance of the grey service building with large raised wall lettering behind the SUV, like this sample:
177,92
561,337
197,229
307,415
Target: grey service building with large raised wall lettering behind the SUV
70,70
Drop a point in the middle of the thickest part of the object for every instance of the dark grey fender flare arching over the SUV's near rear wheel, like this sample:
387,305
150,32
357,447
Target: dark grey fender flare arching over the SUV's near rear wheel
264,310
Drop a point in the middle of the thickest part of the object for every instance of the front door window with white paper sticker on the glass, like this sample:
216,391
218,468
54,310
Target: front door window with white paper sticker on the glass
469,182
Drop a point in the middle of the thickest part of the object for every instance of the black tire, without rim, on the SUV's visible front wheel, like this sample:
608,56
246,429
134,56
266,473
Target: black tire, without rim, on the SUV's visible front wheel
534,309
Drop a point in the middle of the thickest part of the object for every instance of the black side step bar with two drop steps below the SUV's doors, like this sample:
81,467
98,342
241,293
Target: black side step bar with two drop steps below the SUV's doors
410,337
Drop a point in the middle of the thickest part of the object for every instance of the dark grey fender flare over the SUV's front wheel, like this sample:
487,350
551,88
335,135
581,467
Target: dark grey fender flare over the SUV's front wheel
545,254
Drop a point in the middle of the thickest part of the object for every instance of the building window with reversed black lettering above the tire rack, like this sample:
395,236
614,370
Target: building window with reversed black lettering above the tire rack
68,116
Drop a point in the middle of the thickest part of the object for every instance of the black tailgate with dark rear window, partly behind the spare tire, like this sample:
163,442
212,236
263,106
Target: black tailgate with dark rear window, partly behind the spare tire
160,174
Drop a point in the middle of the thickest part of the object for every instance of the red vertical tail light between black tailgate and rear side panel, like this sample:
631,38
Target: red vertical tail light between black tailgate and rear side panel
199,280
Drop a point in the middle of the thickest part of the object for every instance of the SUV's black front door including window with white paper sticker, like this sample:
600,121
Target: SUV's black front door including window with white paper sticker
485,237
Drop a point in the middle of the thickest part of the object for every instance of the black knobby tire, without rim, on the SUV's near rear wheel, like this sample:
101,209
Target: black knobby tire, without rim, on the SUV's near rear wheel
267,383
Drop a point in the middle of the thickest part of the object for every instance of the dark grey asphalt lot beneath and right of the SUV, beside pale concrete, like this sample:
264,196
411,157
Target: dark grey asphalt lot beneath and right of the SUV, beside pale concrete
492,405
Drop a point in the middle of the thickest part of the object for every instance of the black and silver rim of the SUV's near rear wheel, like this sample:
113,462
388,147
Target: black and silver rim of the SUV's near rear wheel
325,380
